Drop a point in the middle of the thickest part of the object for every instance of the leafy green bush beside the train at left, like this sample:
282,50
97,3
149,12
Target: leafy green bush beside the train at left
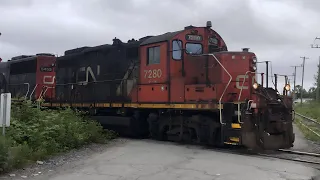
36,134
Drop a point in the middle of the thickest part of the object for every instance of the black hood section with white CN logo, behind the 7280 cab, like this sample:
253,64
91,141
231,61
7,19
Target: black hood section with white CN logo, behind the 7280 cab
98,74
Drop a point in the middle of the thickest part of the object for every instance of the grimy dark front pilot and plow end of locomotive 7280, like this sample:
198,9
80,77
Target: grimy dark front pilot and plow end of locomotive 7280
267,122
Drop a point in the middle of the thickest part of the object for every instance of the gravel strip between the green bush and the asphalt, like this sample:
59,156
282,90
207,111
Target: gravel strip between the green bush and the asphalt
51,165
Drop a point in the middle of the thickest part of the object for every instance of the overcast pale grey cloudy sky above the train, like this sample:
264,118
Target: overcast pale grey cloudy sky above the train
279,31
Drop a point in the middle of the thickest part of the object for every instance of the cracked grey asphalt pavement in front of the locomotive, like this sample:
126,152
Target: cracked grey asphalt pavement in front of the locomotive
153,160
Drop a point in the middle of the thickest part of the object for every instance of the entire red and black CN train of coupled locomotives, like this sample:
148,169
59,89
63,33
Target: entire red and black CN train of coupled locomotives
178,86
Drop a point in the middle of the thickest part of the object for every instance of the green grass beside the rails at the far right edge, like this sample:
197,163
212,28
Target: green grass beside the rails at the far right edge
311,110
